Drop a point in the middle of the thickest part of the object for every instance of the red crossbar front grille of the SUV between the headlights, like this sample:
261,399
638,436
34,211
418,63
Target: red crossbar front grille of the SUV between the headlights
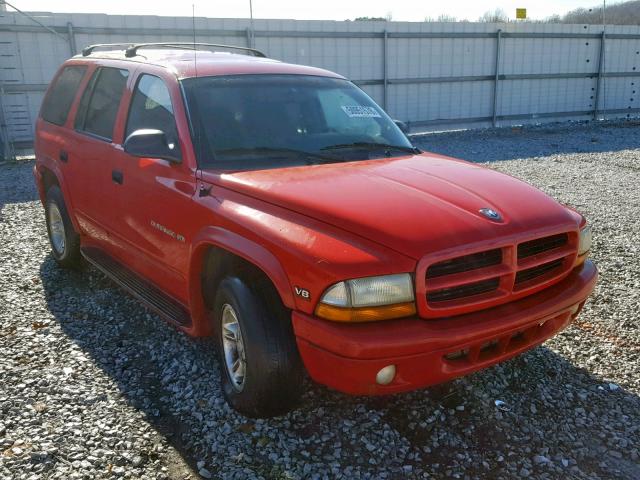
496,275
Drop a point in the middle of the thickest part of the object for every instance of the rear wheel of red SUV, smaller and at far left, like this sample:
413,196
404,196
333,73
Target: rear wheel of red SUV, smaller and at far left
64,240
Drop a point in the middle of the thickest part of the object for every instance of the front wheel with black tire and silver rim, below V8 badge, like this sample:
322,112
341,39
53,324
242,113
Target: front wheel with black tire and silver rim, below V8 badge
272,379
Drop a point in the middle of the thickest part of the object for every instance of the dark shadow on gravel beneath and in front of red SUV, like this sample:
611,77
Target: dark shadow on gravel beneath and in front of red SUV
173,380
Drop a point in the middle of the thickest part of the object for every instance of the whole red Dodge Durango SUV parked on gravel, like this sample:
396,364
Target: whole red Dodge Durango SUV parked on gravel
279,209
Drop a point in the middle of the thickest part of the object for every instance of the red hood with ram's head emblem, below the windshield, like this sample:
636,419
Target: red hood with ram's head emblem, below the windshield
415,205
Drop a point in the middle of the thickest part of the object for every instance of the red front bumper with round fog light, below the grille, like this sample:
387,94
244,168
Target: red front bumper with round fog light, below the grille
348,357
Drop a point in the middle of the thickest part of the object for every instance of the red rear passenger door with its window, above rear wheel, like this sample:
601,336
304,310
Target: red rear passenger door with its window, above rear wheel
91,153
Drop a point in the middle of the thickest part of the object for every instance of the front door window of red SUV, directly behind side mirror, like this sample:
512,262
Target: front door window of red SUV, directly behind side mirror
151,108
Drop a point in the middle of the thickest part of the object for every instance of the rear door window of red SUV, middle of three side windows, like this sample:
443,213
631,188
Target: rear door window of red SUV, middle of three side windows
100,101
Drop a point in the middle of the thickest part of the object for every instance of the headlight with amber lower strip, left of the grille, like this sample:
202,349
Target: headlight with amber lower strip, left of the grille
367,299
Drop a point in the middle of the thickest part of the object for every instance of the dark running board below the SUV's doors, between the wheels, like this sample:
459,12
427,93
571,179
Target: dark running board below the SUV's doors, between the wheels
140,288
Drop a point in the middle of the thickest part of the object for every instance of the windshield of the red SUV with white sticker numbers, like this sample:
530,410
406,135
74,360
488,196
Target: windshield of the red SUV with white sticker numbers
247,122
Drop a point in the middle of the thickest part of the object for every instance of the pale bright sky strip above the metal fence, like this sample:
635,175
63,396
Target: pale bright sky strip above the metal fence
402,10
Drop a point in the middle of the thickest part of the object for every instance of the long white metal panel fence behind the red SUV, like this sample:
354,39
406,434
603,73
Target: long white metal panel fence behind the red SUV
430,75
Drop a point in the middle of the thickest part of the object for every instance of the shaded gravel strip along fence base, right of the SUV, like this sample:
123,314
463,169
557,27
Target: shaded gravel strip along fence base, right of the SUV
487,145
